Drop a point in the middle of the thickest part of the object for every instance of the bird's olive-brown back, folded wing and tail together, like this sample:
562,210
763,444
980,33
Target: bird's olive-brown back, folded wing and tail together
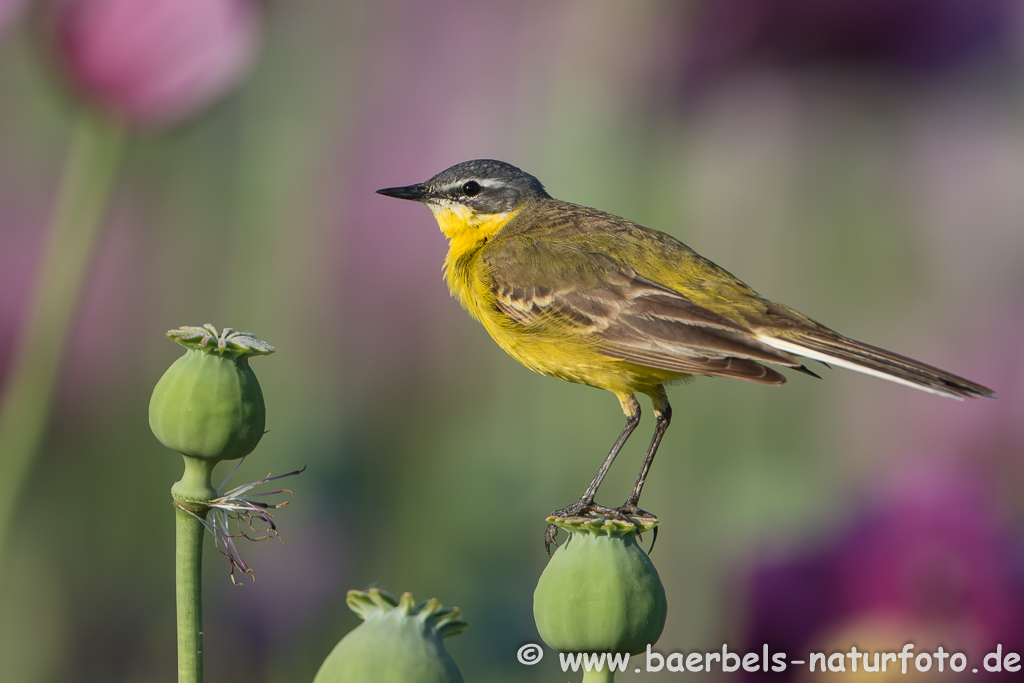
639,295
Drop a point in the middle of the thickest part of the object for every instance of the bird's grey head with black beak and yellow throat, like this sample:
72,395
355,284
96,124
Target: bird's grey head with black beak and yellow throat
475,197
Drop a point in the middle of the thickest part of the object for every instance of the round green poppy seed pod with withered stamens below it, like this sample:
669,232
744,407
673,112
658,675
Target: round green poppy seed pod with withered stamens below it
209,404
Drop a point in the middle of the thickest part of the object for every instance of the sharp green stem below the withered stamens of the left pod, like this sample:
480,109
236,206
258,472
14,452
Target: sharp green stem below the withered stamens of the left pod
189,591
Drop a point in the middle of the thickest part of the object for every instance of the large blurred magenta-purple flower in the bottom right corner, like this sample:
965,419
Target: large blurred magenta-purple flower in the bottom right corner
932,564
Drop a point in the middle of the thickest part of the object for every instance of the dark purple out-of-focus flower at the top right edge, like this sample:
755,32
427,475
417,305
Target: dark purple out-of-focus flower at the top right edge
889,35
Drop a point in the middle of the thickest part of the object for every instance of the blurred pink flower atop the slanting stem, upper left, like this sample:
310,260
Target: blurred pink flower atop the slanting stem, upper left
155,62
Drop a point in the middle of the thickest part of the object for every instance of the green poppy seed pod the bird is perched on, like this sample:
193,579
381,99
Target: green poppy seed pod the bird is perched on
601,592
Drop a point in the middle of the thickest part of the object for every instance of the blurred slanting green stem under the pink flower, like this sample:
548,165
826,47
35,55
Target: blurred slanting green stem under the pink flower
82,200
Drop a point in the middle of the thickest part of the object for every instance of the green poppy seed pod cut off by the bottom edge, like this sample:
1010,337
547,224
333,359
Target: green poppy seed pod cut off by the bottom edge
398,643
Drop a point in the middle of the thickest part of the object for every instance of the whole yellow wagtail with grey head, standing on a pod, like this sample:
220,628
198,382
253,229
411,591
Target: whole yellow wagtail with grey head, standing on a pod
589,297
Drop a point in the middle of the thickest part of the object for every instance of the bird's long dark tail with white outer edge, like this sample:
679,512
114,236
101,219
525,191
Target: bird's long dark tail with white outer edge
831,348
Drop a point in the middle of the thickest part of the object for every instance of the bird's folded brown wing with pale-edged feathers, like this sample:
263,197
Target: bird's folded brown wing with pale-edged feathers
576,293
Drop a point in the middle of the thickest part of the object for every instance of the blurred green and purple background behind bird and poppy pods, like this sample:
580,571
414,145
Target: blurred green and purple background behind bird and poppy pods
867,172
